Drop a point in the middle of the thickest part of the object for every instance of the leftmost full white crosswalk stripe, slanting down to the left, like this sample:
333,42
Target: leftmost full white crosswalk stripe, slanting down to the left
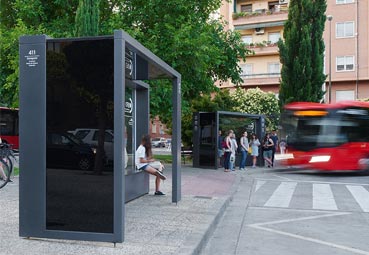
282,195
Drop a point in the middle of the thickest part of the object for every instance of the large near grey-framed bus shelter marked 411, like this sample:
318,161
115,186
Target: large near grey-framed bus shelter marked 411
91,89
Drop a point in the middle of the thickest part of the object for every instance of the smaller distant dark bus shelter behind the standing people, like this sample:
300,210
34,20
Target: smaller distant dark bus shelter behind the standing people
206,126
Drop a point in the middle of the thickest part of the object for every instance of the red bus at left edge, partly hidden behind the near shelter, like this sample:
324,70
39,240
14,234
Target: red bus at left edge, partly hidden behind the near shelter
9,126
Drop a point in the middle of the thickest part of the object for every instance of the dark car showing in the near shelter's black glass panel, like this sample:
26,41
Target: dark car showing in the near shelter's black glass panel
64,150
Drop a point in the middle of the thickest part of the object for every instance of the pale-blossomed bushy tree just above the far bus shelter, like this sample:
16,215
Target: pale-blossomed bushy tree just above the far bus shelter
256,101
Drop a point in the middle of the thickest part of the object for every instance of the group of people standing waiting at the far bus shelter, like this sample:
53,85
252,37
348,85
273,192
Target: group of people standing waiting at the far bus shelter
228,147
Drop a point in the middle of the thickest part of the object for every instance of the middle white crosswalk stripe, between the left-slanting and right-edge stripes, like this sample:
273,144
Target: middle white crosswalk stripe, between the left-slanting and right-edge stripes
323,198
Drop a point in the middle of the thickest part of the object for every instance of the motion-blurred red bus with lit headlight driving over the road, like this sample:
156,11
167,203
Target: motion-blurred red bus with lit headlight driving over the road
327,136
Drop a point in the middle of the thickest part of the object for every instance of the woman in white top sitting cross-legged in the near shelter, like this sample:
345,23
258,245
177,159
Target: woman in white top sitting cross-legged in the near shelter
144,161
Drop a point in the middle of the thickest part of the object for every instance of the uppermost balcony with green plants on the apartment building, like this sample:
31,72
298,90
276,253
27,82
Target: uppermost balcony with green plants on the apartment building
248,18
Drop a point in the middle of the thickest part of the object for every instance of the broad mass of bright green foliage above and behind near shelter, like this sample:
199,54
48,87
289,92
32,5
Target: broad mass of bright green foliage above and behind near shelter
180,32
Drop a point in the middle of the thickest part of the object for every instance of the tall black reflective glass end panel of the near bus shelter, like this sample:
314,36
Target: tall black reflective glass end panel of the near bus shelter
79,184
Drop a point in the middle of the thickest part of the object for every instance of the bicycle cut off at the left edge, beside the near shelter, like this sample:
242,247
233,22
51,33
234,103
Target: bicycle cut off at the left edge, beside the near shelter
6,163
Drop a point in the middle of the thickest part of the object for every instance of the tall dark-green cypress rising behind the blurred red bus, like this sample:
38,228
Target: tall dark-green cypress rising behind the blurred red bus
301,52
